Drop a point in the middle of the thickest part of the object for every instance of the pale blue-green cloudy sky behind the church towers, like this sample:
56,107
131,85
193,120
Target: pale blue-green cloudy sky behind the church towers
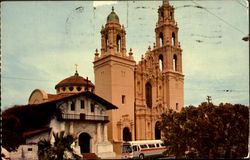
42,41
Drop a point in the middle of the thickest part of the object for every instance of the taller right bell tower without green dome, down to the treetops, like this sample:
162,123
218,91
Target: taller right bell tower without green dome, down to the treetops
169,51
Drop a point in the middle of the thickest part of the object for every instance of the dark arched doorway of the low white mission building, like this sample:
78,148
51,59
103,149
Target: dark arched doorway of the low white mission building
84,142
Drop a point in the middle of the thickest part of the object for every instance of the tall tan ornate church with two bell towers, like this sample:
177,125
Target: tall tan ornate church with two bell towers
142,91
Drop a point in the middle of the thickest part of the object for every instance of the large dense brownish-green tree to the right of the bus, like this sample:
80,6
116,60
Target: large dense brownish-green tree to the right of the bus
208,130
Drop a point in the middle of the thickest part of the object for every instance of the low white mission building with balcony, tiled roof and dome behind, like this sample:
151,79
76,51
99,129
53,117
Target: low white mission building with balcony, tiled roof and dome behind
76,111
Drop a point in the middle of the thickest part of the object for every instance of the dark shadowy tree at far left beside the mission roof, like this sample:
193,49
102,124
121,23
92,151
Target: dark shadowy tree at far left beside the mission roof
17,120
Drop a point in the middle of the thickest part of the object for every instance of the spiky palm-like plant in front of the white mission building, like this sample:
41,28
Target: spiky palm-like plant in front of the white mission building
59,149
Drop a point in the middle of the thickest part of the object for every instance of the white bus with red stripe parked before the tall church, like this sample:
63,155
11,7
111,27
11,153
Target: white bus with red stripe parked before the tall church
142,149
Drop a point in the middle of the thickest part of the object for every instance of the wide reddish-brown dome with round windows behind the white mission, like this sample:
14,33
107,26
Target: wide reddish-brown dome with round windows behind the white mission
74,84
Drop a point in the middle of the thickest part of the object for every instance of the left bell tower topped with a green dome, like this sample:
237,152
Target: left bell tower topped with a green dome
114,80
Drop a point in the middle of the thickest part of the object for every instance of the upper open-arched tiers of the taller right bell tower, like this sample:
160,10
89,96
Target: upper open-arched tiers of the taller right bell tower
166,33
